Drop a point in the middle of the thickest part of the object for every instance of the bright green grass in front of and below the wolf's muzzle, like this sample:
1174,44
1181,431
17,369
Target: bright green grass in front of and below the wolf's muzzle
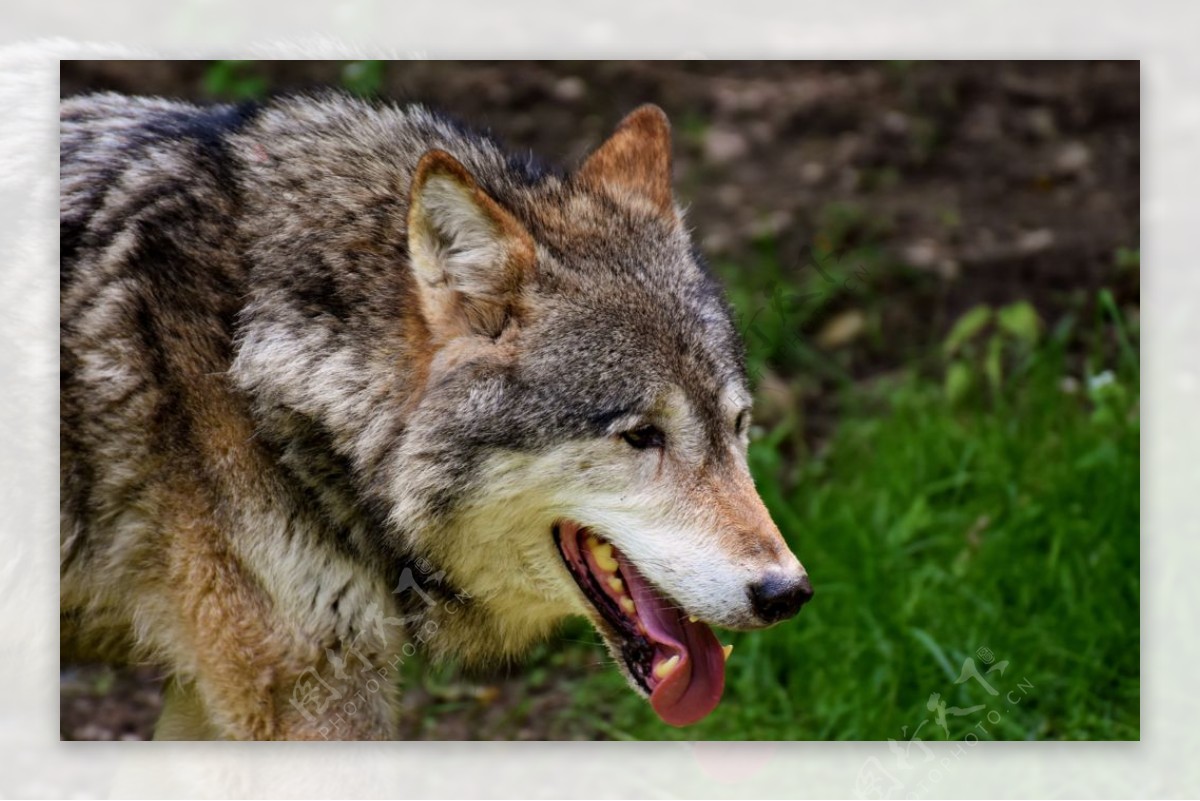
1005,520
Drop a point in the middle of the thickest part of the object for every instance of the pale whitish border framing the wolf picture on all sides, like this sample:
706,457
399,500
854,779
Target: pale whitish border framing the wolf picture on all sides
37,764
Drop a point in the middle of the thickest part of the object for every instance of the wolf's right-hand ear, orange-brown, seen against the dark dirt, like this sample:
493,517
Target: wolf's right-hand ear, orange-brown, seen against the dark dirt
637,160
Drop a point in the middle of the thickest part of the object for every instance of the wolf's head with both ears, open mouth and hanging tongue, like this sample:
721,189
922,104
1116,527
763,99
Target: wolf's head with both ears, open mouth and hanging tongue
580,444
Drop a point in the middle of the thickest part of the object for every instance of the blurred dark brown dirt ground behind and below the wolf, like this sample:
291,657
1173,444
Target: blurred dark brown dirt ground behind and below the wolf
977,183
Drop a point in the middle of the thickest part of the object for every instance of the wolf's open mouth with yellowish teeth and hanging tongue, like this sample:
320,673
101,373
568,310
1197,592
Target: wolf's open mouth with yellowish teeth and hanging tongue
673,657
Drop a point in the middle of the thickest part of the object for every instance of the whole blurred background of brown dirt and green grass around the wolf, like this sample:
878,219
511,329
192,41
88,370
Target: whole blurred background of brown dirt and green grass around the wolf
937,270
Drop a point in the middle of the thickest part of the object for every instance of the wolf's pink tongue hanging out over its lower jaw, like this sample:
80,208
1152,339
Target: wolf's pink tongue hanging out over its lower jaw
695,688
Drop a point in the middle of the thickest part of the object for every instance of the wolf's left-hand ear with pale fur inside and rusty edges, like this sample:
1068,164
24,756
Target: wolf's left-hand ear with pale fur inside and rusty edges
470,256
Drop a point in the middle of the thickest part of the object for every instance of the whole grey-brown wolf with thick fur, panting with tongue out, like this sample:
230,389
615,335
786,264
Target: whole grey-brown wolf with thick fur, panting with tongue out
345,382
